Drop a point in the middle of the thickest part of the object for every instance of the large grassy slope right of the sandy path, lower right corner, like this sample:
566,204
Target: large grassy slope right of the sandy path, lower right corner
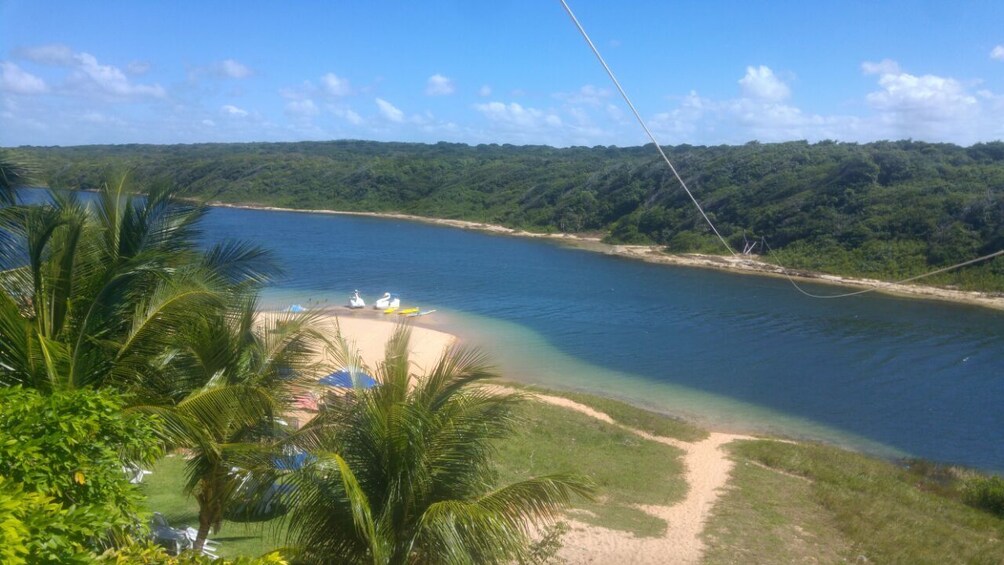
832,505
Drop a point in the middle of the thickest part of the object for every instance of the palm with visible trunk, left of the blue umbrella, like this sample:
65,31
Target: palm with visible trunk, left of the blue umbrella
240,374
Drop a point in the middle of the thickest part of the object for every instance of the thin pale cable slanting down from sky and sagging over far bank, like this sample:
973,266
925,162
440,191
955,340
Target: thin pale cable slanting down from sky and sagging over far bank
785,270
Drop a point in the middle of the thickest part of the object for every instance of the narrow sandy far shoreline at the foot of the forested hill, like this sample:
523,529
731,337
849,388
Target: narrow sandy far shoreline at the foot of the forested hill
654,254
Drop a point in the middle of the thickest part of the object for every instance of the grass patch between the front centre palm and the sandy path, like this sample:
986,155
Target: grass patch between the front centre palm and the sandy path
627,469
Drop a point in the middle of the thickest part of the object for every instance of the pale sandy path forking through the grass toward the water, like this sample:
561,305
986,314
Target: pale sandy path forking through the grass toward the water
707,473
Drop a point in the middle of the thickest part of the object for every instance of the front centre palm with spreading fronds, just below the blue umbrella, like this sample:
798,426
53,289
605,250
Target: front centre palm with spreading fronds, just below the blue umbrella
404,471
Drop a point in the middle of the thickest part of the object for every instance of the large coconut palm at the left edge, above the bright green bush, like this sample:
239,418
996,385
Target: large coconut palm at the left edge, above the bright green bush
92,297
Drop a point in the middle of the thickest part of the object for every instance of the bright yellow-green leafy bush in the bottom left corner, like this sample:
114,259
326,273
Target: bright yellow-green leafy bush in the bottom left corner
63,489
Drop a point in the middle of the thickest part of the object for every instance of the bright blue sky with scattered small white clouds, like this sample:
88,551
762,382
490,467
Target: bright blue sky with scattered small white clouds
505,72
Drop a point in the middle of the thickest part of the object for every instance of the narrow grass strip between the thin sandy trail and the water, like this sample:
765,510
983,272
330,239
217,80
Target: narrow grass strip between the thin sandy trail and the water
627,415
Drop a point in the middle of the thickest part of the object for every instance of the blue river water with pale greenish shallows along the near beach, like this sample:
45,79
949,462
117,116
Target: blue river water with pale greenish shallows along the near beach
893,377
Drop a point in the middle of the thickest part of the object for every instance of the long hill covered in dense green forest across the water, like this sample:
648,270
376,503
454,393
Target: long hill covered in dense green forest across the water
889,209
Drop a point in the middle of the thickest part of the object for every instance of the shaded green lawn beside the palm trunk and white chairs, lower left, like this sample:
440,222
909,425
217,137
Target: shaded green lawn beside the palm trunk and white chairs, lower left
164,490
